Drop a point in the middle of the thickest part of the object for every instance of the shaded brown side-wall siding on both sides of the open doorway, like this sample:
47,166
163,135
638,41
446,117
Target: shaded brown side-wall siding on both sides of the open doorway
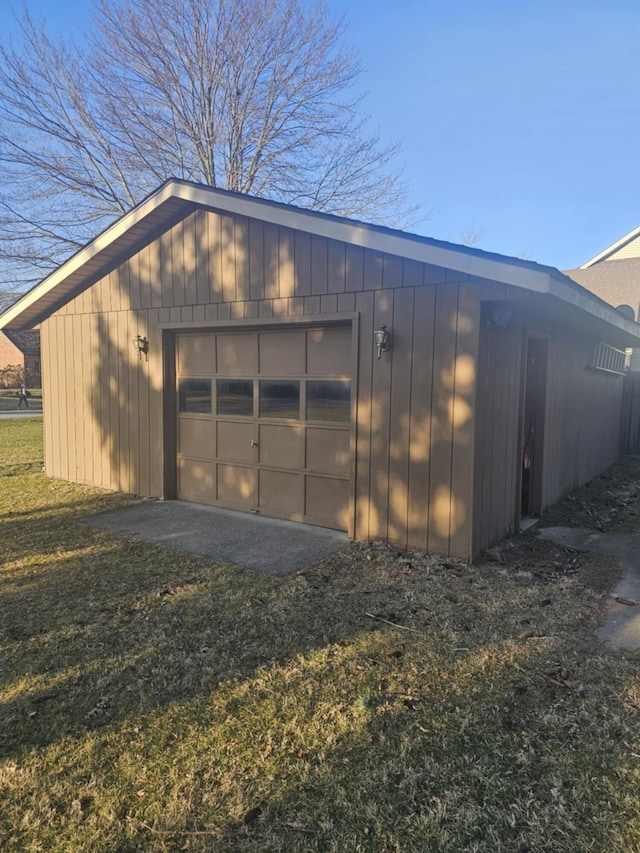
582,424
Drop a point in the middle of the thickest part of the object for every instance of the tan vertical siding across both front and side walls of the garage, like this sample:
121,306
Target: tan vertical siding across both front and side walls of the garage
420,448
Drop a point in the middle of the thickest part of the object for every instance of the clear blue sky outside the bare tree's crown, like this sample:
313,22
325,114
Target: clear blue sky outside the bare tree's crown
521,119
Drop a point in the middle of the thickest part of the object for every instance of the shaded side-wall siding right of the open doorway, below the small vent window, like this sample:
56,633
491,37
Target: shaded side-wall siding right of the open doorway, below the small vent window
582,418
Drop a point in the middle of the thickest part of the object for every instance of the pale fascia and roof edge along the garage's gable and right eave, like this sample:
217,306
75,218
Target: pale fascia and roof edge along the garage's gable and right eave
175,199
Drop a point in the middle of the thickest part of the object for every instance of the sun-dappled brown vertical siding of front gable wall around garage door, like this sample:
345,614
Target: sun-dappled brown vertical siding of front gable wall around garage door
414,431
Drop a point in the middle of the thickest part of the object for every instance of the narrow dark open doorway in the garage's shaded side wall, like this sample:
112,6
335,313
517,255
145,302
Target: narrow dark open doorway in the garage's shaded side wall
535,385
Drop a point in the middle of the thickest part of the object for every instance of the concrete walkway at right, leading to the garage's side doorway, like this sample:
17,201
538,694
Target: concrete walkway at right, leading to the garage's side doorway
621,629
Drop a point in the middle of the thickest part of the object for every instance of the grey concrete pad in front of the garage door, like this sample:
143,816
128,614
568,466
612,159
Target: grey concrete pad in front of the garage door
239,539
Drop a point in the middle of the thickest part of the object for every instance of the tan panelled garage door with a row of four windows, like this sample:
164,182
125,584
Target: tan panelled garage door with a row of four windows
264,422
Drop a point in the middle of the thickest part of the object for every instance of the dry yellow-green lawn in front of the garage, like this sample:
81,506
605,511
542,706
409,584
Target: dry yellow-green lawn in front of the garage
380,701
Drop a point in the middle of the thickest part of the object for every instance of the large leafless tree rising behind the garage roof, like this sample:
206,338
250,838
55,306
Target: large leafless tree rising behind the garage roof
250,95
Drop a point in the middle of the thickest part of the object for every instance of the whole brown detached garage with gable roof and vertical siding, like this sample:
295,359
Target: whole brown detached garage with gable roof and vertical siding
226,350
